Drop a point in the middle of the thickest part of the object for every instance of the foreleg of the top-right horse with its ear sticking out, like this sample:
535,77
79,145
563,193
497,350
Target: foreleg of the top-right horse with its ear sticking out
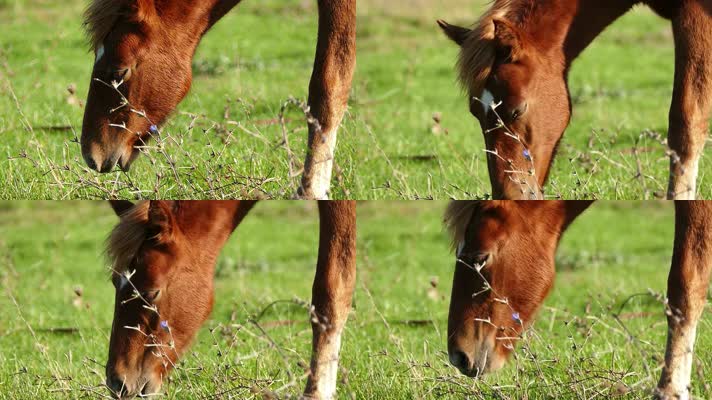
691,96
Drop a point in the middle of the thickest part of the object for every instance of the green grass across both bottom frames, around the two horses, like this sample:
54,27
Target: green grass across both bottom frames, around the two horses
56,305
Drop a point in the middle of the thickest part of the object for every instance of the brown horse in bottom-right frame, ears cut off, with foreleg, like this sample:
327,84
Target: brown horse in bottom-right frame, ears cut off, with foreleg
505,269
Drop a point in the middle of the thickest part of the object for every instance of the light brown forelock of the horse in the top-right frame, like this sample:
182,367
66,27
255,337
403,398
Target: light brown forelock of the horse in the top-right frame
477,53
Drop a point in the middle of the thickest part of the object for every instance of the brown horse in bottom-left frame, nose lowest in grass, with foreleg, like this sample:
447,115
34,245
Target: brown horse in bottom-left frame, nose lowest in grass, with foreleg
163,256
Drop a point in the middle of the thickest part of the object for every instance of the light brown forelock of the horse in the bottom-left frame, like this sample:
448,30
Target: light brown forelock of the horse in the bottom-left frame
126,238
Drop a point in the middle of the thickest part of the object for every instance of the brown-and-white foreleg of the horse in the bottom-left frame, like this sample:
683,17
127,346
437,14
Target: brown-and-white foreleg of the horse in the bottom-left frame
331,294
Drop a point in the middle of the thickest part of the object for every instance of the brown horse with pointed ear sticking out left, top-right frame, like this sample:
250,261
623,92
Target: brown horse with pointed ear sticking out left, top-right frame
514,65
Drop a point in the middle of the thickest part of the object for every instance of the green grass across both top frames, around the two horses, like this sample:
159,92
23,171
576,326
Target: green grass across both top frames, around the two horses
228,132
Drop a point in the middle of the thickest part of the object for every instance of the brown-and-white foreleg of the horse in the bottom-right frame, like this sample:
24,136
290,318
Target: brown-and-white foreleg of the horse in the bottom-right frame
687,291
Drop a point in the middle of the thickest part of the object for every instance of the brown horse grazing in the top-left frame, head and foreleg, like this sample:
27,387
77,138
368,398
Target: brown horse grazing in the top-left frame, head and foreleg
142,70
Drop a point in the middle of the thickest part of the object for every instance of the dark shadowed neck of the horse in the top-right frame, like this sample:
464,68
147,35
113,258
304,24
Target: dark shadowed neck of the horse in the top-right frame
586,20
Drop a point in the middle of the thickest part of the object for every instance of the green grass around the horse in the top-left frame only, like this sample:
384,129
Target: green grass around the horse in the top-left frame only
247,67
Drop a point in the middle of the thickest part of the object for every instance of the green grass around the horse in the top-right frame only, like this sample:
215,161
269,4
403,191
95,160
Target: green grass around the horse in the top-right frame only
621,88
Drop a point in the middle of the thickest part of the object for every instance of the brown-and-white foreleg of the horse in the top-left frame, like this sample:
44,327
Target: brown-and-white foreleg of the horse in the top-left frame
328,92
